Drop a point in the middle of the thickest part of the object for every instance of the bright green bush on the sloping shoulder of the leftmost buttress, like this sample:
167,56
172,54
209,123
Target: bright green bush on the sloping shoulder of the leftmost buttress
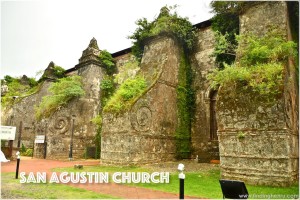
63,91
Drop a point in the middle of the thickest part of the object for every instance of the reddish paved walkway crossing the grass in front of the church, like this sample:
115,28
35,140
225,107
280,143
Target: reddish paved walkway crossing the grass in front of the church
117,190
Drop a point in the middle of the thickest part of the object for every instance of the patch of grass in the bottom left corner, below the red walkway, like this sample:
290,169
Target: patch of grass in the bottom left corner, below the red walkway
11,188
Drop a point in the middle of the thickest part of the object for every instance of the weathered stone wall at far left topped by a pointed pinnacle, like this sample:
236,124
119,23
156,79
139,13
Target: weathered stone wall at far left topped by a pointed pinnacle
58,128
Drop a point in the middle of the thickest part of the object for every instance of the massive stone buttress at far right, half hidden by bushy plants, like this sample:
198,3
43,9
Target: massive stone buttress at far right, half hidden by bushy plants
257,144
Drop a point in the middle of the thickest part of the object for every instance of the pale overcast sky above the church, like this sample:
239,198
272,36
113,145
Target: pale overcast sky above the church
34,33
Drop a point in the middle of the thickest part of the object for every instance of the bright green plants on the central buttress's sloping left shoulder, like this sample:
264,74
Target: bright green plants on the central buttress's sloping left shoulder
125,96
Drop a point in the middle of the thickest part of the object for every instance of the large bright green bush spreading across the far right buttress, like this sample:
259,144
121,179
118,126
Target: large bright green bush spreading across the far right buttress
260,66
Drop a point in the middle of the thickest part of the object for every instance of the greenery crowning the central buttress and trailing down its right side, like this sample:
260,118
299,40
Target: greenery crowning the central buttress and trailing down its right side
185,34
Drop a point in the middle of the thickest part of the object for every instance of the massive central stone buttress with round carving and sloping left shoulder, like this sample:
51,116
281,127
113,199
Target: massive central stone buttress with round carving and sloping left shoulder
146,133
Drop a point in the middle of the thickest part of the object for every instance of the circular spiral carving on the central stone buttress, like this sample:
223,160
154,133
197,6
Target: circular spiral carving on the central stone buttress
141,119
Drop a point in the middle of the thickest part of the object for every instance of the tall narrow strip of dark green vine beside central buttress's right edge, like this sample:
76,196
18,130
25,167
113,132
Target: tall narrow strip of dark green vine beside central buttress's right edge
185,106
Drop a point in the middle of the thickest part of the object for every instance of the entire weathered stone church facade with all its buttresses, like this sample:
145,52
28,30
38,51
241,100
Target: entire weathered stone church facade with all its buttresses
145,134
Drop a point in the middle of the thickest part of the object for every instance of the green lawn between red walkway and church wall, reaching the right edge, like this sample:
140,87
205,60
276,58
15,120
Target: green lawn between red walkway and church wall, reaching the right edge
204,184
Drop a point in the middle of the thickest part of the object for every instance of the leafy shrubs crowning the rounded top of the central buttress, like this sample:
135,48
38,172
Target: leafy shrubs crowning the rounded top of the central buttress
165,22
